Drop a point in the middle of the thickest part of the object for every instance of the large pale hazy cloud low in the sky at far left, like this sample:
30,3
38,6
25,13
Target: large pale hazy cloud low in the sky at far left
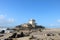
4,20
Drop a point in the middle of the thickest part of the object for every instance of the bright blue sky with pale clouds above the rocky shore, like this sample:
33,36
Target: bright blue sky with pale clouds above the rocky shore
15,12
